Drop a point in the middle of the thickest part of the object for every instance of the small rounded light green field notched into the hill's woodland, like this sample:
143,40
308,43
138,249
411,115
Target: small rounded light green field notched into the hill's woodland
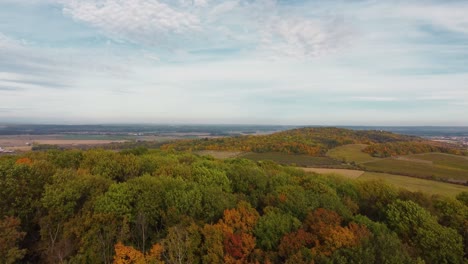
350,153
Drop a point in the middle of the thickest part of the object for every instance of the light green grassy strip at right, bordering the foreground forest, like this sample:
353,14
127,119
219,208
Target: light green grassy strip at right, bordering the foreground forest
415,184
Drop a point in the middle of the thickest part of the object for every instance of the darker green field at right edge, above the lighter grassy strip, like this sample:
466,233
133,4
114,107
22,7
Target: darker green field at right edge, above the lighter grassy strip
411,166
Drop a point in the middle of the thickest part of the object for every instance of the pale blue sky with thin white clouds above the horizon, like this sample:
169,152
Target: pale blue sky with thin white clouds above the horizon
293,62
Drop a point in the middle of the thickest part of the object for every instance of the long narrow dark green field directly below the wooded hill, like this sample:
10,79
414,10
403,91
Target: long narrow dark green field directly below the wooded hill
291,159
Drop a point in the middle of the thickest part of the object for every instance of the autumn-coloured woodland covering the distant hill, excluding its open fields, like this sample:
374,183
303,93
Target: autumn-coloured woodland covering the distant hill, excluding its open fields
317,141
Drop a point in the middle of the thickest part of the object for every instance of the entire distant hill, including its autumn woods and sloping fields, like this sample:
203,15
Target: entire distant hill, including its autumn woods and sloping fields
367,150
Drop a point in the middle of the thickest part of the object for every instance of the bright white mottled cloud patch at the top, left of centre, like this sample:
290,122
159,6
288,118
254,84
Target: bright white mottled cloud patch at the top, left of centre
145,21
